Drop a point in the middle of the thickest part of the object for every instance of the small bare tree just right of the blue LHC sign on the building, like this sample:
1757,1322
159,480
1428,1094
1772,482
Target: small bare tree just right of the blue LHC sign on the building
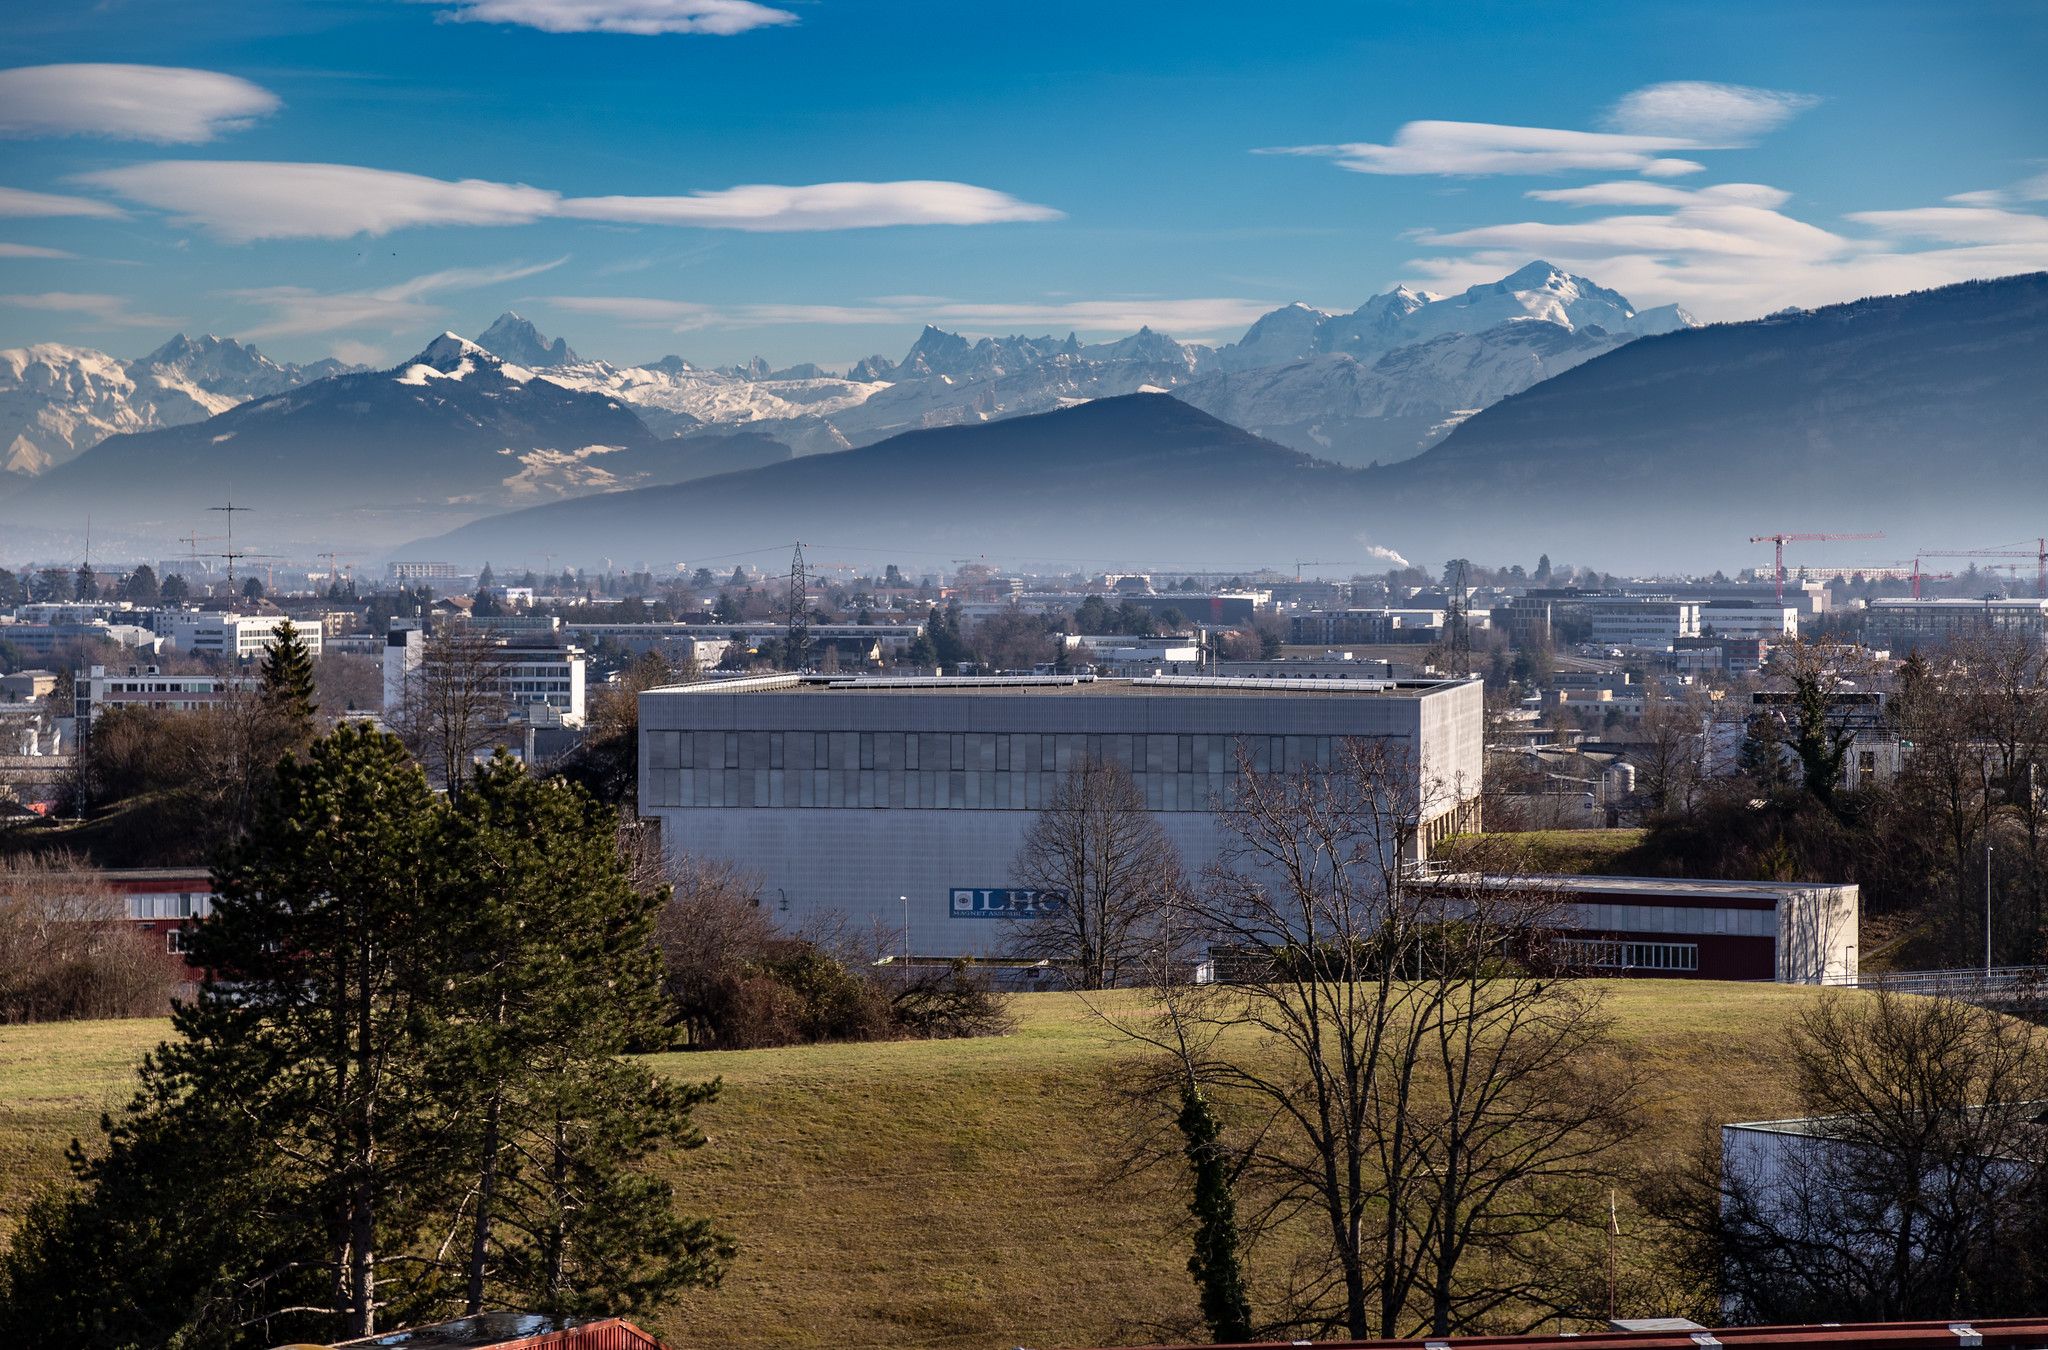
1113,870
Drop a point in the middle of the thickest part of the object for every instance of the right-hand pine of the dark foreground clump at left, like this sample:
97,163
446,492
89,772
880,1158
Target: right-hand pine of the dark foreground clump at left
564,1220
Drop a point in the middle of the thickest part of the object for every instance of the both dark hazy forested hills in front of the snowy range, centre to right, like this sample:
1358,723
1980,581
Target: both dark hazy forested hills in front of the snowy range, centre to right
1914,417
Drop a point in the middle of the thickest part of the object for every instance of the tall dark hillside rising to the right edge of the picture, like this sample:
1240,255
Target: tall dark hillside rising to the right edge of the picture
1924,417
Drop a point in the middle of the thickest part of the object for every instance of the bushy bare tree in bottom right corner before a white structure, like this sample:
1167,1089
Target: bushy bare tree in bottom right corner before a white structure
1912,1189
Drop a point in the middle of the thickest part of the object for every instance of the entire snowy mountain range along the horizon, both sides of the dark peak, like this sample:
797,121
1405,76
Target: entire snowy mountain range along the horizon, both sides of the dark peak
1377,384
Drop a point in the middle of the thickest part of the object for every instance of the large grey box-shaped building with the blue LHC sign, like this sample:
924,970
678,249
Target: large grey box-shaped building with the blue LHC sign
871,796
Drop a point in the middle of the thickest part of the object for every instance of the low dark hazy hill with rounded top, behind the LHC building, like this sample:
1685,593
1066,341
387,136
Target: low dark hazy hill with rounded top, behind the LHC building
1140,476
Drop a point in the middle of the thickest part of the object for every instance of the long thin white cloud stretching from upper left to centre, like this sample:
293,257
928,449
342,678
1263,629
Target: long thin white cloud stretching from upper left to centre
243,202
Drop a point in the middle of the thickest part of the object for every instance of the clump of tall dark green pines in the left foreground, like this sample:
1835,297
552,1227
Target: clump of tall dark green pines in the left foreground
411,1101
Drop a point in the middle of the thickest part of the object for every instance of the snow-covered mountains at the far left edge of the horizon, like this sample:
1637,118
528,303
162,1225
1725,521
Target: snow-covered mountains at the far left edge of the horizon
62,400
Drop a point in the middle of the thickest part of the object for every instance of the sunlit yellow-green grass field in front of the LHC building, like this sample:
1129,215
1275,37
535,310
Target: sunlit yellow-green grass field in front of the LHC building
939,1193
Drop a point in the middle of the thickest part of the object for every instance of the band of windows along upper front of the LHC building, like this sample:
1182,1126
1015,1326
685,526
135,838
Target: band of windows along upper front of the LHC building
984,771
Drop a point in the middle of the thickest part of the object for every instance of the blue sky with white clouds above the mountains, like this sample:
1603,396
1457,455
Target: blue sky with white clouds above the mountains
353,177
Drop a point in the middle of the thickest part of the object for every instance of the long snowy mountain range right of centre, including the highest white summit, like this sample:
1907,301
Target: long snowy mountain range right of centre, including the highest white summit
1381,382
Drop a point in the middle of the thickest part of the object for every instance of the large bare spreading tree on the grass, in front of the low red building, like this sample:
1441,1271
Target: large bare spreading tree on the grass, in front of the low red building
1422,1109
